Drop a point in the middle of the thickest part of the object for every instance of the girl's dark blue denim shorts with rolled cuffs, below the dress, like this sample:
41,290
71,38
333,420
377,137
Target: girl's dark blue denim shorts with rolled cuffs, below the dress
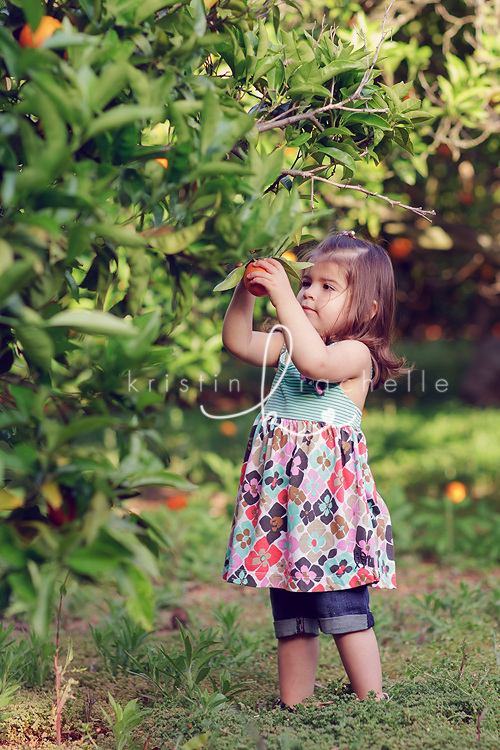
334,612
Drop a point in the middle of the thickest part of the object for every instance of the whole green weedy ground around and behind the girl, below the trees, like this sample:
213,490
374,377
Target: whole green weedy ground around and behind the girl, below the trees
215,684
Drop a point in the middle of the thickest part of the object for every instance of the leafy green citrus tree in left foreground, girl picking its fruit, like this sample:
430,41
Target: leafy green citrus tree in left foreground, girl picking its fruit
144,145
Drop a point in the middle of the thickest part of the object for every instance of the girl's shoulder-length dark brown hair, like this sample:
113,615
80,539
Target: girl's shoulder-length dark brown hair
369,276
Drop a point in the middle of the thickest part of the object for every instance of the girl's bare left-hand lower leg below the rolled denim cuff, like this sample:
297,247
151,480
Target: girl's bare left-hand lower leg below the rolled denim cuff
297,663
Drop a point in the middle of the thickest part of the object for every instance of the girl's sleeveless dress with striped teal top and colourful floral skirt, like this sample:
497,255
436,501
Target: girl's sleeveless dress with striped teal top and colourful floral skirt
308,516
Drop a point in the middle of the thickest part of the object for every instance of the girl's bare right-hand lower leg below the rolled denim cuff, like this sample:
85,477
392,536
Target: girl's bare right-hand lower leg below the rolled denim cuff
361,660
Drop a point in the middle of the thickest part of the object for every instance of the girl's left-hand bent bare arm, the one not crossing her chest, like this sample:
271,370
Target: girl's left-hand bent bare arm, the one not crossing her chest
240,339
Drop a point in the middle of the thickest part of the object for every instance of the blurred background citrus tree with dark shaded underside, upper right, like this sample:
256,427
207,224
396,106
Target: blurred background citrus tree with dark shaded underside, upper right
448,273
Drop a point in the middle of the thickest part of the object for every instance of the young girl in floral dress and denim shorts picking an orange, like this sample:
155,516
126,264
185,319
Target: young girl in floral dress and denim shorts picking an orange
309,523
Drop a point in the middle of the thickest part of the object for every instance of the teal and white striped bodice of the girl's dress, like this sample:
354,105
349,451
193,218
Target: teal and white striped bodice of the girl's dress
293,397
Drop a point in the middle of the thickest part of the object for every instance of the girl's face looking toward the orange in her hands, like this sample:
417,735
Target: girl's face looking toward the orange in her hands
325,297
